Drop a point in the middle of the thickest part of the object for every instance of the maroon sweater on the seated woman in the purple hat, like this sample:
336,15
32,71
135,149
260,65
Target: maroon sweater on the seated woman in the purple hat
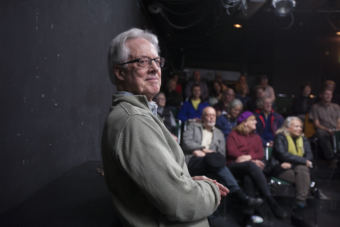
238,145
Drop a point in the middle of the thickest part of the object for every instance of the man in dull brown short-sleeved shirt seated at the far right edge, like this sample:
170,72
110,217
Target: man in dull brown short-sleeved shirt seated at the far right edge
326,116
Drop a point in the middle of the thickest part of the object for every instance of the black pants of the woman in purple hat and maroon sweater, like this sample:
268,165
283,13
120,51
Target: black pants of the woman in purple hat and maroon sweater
252,176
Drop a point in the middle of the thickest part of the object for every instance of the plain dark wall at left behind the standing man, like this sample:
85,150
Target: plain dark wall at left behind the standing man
55,90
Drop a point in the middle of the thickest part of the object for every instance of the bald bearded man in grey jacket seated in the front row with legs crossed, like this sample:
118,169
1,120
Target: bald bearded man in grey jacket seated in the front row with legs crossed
204,146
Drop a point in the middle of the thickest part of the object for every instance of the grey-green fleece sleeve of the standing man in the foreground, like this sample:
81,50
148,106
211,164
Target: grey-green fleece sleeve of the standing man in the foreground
145,155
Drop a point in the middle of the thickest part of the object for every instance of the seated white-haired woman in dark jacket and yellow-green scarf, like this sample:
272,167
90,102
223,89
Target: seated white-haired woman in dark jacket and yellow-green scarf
291,158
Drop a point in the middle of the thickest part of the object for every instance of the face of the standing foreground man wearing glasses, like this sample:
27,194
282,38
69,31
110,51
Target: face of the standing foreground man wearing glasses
141,80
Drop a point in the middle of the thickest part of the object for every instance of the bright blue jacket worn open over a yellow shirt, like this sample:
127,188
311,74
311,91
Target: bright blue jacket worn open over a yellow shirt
187,111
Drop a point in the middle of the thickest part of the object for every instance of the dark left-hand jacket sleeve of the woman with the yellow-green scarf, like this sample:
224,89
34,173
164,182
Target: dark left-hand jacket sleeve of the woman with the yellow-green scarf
281,151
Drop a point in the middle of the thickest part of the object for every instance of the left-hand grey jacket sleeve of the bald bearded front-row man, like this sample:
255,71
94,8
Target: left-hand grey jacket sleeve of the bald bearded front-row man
189,141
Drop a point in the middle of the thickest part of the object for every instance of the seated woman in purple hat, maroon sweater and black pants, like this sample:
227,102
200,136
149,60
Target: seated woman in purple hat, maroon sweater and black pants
245,154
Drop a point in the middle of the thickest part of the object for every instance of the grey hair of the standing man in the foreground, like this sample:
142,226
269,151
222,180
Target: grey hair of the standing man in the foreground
118,52
